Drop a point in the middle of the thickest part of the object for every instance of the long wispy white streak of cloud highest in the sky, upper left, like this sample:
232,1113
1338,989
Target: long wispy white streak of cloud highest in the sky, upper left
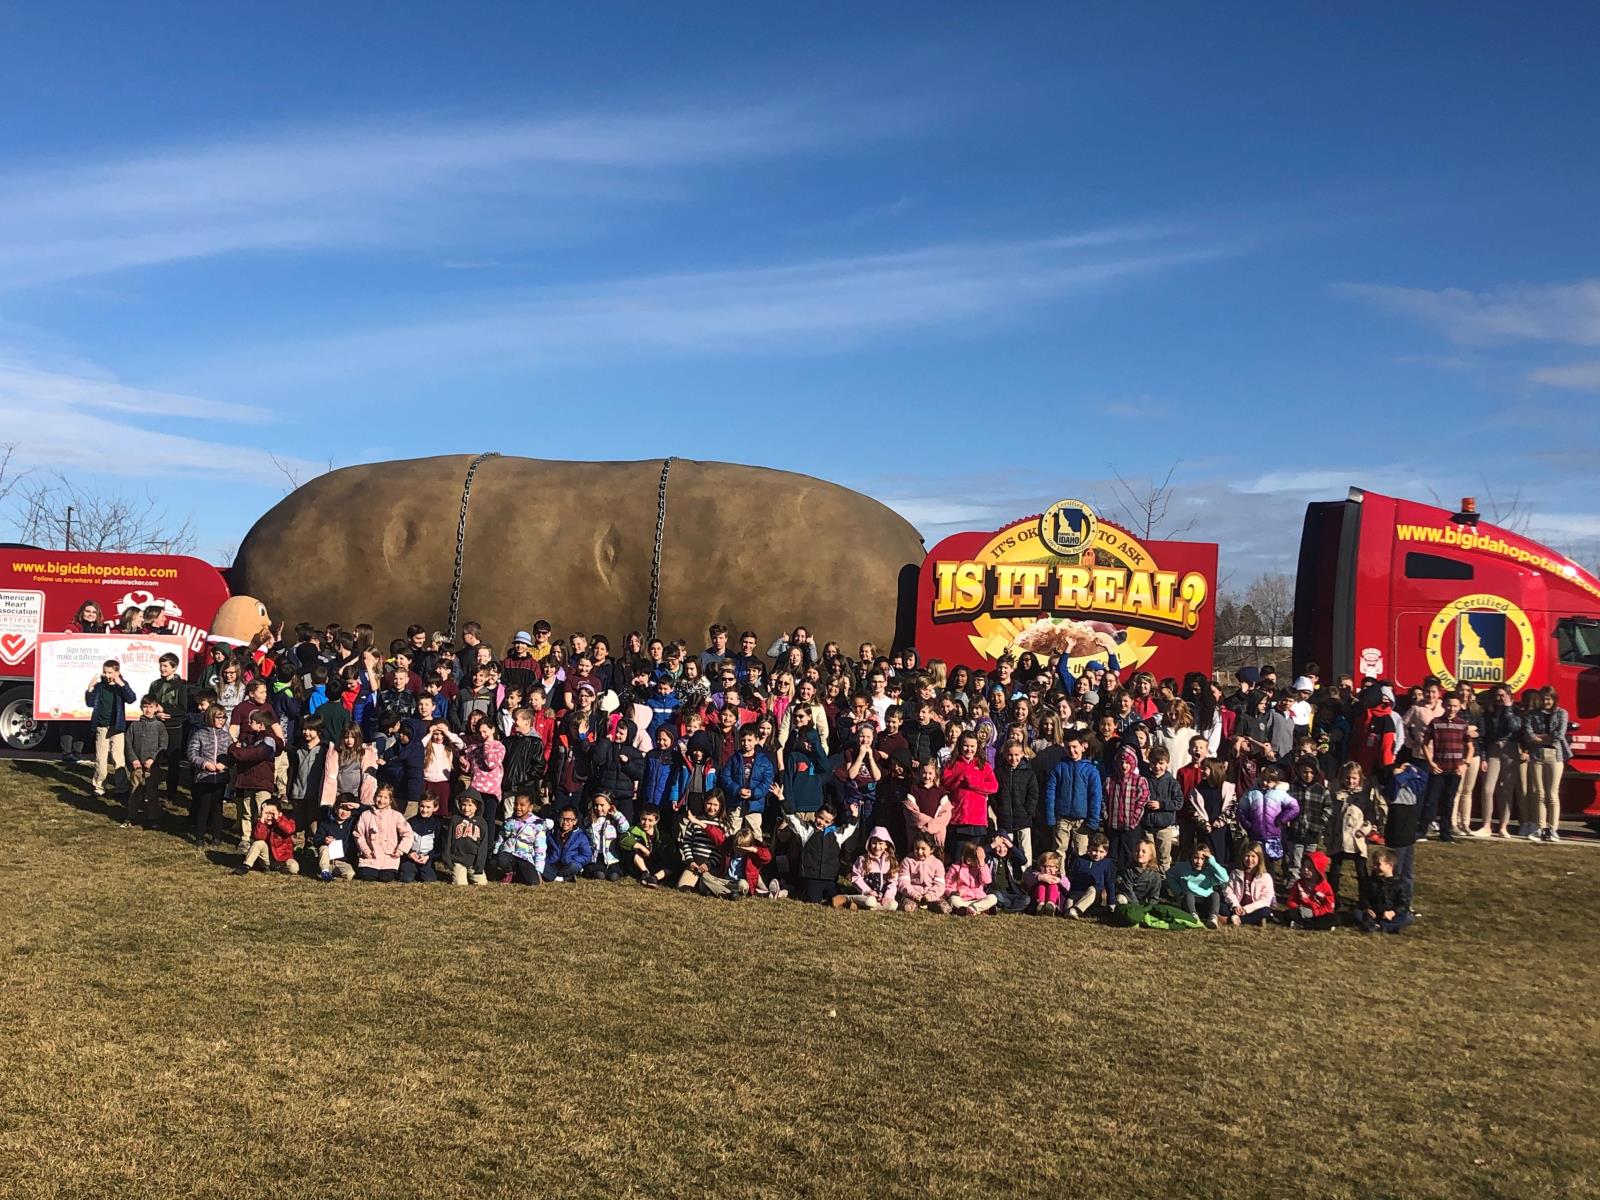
369,185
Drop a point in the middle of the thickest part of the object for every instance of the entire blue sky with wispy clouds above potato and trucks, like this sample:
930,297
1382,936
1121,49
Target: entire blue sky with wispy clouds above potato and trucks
964,258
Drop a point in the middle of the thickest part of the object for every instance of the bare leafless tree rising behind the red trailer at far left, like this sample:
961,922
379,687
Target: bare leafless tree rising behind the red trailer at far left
54,511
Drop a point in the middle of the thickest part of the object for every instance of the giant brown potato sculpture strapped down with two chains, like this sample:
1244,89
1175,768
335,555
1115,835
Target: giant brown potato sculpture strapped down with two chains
574,543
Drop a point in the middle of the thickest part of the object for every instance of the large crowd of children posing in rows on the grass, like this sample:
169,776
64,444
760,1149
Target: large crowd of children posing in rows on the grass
871,782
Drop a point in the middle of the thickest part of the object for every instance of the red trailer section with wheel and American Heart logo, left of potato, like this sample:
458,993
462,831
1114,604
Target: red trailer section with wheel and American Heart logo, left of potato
44,591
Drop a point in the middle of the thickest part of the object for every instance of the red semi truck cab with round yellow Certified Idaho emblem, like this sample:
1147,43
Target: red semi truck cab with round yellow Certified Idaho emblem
1398,590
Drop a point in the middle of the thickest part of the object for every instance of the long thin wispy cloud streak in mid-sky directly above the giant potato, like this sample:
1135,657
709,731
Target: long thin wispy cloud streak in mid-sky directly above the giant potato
810,308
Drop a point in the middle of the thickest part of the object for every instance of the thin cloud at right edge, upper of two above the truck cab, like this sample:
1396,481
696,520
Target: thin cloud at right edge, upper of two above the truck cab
1550,313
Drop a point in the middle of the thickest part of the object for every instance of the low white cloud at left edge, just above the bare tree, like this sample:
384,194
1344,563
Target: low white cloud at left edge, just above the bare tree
79,420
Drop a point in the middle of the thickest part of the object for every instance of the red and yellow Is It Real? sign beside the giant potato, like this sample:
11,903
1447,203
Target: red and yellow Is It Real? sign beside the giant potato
1068,583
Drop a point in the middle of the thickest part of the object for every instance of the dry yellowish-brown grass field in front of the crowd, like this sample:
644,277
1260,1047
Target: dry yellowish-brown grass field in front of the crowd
170,1030
